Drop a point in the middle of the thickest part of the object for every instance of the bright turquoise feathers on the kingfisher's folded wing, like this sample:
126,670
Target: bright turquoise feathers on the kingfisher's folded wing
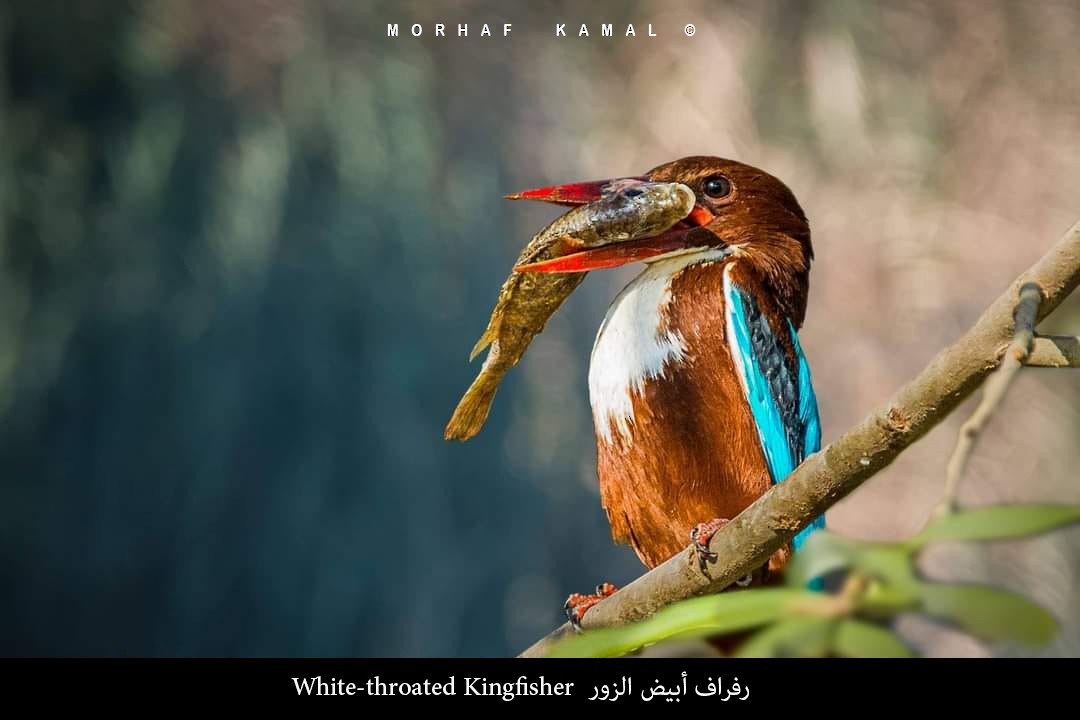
785,407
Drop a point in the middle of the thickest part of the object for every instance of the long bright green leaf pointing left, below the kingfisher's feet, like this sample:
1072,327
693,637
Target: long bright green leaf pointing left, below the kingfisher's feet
714,615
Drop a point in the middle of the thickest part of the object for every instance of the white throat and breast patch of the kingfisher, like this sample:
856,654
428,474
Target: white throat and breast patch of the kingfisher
631,349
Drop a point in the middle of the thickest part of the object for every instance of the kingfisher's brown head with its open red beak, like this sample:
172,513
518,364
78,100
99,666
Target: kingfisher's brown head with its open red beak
740,212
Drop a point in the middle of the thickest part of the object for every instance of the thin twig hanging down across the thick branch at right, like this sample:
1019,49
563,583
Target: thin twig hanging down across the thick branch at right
997,386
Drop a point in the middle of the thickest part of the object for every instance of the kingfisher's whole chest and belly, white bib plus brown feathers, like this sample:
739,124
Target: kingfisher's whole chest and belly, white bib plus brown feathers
677,440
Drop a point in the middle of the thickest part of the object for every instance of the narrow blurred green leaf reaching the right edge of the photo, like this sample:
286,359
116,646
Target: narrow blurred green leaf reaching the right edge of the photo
997,523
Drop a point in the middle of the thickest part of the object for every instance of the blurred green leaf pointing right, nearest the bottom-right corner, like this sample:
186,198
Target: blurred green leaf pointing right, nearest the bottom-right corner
990,614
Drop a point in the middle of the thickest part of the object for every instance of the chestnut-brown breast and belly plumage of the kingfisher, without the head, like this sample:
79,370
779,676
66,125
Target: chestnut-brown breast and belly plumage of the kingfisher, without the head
695,452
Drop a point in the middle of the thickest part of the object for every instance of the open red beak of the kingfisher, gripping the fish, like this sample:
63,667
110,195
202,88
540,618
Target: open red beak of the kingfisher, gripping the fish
615,254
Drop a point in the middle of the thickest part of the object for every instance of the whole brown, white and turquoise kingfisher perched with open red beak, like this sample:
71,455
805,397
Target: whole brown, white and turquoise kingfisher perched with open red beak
701,396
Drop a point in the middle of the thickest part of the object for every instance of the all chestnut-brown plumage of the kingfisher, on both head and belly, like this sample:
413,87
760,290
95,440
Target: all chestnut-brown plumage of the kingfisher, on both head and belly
694,453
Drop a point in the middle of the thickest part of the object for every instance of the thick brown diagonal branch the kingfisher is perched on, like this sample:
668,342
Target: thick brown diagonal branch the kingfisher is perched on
828,477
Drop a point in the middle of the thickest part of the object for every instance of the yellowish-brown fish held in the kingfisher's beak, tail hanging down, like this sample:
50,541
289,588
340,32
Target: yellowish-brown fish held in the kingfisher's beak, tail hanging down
629,210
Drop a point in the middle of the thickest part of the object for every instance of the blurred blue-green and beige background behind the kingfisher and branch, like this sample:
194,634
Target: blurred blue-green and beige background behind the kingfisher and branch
246,248
